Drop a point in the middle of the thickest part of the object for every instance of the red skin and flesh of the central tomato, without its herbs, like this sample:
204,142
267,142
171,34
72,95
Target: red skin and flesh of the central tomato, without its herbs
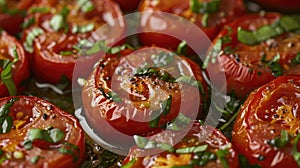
123,116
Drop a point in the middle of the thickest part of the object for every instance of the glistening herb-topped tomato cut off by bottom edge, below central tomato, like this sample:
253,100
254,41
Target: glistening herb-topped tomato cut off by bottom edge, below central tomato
198,136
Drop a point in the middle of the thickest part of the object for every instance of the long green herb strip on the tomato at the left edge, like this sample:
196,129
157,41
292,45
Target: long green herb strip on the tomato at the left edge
6,74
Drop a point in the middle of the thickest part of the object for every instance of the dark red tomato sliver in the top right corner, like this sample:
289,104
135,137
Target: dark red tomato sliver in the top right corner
280,5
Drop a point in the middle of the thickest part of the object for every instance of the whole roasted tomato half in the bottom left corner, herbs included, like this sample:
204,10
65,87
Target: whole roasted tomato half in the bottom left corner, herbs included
35,133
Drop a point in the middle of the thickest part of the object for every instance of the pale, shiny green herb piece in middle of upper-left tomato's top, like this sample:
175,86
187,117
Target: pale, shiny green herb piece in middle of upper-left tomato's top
58,21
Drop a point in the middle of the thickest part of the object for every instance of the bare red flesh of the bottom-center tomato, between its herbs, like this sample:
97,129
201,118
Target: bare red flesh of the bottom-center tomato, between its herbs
196,136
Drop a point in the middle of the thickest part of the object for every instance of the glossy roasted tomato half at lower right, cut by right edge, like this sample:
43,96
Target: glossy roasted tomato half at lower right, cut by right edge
267,112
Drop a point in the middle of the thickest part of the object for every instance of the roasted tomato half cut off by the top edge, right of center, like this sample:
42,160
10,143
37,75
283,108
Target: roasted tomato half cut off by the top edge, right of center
208,15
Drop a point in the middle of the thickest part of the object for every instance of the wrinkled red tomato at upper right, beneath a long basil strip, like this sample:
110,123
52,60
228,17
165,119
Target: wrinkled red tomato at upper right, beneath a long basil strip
247,67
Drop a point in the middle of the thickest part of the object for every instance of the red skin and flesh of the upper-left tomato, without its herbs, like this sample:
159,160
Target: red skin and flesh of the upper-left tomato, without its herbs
47,58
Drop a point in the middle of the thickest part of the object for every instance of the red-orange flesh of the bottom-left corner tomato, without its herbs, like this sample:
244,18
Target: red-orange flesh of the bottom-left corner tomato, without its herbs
33,112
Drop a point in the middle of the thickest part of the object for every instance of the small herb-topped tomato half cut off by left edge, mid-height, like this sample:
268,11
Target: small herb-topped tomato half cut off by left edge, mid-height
13,65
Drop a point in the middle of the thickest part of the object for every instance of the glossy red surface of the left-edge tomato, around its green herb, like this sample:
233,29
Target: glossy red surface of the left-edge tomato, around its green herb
20,69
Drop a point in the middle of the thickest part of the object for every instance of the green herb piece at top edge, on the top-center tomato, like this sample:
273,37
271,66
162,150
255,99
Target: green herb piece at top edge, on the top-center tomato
205,7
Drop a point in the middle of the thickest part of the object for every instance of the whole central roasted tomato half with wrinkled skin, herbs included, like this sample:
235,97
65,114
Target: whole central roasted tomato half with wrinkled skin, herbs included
136,92
